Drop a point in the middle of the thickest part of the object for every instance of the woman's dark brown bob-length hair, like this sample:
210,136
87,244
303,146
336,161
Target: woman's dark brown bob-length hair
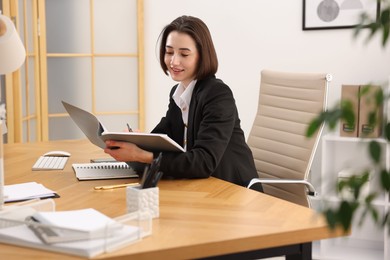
198,31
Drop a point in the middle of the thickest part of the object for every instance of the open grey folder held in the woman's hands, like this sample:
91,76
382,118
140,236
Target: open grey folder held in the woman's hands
97,133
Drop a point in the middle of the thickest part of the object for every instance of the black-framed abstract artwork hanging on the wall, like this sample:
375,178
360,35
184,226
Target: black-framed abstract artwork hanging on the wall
336,14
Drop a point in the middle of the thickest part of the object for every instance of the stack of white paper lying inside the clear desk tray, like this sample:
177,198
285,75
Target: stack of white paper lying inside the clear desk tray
88,221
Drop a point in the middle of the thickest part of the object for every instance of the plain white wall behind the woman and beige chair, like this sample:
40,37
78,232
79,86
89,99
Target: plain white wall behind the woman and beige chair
251,35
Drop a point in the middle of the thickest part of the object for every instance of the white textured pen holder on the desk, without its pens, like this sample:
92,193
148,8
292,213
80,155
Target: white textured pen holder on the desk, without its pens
143,200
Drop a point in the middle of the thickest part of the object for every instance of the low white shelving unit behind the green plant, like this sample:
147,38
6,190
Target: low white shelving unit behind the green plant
367,241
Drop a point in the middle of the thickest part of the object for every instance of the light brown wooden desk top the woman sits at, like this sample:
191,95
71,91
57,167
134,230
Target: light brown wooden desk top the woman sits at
198,218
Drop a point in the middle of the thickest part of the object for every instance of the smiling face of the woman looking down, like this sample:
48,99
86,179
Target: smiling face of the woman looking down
181,57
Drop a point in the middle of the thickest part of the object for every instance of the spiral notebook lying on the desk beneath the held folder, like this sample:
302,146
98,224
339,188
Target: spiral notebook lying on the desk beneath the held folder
109,170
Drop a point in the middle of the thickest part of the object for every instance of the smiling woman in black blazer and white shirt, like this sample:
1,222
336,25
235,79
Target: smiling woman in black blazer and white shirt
202,115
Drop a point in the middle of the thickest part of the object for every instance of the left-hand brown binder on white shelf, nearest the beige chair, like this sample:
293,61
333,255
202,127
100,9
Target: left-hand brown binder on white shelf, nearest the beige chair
350,93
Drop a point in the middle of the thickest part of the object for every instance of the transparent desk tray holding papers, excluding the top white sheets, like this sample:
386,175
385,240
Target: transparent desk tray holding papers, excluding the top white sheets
16,229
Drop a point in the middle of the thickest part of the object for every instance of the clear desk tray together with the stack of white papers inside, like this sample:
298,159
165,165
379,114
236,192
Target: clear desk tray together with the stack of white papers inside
17,229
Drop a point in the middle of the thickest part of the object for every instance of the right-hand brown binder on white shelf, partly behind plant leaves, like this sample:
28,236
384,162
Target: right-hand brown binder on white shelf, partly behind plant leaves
367,106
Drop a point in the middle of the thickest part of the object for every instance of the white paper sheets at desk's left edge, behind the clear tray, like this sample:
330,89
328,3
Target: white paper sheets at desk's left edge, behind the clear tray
26,191
